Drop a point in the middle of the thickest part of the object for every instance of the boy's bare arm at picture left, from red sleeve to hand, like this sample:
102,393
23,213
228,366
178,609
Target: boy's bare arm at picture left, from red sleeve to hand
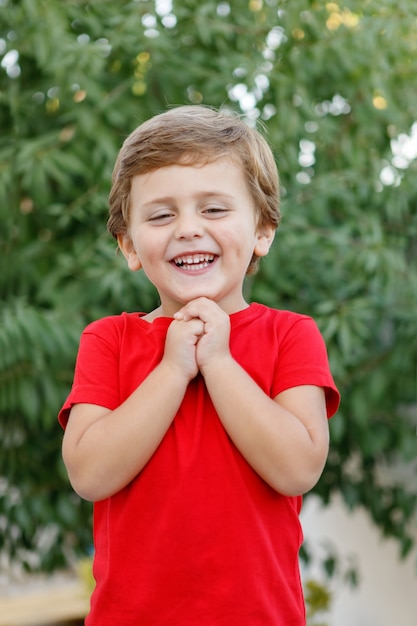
104,450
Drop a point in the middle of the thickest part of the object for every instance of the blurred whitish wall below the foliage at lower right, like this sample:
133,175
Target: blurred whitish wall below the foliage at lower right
387,593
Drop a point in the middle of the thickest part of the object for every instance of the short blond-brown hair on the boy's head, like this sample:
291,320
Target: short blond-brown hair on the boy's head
191,135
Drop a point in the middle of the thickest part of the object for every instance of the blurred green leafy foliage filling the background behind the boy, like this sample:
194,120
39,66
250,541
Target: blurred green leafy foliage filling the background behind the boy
334,86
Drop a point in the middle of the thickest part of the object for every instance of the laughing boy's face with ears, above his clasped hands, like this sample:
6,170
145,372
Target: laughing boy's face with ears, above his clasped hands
193,231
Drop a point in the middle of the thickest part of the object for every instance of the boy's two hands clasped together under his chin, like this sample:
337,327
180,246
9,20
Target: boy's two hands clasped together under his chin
198,337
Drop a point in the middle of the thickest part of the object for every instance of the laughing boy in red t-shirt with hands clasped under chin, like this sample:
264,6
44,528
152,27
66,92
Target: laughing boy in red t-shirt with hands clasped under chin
195,428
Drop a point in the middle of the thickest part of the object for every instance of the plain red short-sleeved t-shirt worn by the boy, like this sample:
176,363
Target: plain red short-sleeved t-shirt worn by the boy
198,537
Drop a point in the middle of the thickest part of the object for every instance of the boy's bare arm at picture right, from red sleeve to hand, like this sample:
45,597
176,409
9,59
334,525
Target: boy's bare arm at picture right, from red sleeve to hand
284,439
